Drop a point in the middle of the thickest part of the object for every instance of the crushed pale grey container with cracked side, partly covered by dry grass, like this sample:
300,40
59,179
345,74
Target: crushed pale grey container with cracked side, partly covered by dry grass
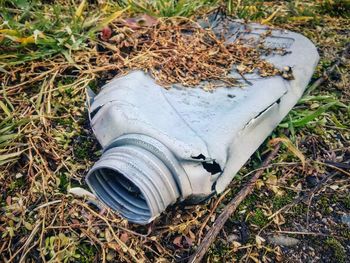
164,145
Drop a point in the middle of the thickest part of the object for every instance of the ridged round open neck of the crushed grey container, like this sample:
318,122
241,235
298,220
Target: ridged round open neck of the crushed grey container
133,182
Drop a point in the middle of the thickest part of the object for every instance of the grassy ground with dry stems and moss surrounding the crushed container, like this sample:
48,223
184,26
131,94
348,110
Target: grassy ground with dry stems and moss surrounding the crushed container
295,214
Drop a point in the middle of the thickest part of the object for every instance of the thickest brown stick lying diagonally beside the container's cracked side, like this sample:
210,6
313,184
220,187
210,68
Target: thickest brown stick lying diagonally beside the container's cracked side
229,210
